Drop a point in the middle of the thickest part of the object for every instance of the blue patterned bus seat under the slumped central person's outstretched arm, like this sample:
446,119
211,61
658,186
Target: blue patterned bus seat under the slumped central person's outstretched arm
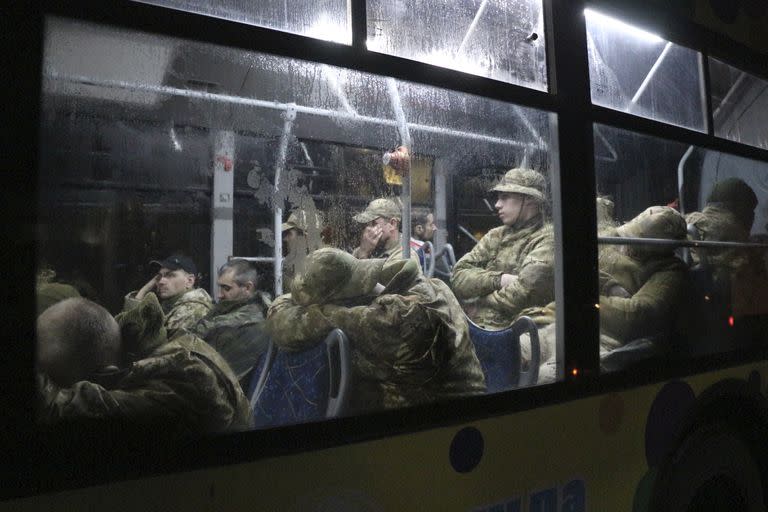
305,386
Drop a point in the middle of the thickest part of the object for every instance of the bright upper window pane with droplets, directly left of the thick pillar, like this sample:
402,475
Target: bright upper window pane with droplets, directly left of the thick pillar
503,40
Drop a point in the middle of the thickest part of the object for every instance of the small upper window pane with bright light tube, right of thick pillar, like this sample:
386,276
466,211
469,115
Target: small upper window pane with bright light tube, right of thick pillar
638,72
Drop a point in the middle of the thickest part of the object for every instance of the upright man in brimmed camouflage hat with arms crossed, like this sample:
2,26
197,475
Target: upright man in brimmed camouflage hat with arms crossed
511,269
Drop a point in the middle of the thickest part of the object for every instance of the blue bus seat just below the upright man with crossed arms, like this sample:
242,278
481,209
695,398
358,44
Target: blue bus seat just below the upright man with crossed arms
500,356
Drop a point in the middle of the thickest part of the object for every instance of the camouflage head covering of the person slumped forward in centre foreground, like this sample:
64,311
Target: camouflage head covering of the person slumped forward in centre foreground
332,274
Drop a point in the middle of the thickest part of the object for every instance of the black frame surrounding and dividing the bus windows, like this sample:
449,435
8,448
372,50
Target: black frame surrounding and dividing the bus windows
41,460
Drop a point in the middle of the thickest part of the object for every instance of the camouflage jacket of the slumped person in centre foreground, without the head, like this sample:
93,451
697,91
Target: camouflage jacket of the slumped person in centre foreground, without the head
410,345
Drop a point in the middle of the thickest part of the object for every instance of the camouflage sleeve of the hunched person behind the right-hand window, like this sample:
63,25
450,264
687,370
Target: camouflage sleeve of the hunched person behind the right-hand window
650,310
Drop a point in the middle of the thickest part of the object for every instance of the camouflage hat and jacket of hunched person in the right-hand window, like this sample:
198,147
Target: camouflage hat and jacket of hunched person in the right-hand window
653,277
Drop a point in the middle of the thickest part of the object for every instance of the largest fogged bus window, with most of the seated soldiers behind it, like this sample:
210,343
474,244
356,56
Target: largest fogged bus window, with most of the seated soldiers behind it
186,188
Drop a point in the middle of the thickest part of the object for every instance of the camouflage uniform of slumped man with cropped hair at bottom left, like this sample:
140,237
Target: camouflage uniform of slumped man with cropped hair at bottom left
181,384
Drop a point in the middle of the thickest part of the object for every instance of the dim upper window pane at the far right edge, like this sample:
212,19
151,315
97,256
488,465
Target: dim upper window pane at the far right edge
740,104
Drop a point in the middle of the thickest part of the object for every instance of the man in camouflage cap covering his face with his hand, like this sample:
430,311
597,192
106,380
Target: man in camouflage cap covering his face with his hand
381,232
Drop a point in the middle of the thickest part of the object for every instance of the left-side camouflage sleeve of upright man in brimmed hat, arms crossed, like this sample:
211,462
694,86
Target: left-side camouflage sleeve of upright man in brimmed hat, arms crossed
470,279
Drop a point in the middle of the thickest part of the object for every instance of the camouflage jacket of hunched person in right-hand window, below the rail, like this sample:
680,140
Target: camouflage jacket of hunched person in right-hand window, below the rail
656,286
